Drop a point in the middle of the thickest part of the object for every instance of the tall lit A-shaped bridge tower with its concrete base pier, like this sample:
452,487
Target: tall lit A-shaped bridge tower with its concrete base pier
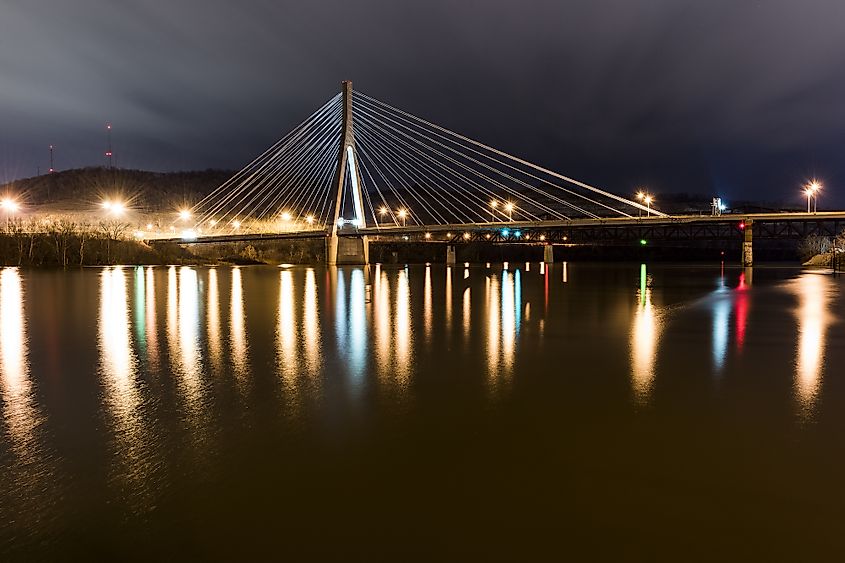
347,249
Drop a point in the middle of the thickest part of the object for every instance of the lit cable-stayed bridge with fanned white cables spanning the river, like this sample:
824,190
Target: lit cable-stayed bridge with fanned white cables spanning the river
358,167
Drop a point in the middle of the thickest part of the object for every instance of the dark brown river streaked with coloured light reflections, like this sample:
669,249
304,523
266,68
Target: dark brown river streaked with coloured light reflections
488,412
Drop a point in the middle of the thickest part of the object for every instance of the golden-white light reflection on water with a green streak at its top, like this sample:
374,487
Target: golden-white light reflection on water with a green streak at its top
645,333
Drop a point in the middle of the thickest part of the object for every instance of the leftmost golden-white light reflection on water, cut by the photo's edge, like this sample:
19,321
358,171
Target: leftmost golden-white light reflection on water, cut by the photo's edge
19,414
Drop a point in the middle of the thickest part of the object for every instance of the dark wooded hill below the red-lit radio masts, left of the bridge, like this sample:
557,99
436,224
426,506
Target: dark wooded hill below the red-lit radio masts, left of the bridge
83,187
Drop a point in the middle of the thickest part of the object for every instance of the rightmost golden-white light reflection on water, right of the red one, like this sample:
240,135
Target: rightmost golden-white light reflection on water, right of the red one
814,292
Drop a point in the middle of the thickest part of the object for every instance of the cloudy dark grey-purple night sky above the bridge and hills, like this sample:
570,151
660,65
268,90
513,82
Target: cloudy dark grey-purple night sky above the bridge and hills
736,98
